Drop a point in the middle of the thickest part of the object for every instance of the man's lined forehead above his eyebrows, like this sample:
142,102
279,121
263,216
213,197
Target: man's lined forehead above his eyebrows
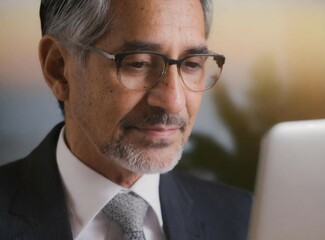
168,23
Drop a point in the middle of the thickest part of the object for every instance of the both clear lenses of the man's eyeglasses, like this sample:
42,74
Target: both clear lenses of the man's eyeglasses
141,71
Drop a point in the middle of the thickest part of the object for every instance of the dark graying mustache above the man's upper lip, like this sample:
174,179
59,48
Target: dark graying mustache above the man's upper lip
155,117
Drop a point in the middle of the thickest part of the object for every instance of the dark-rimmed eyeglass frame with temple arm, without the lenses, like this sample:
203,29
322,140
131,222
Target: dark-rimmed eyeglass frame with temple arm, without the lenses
118,58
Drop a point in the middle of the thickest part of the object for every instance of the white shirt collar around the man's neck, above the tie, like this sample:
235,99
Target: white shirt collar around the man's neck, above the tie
87,192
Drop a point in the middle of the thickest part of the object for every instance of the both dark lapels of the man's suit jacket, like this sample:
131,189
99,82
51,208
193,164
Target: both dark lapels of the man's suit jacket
39,210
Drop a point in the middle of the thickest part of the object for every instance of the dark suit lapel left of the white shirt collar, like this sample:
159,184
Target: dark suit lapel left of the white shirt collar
40,204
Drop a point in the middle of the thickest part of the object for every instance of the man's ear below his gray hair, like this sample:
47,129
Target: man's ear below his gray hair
53,58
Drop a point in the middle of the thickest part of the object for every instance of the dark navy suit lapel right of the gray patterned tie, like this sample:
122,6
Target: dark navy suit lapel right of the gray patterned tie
179,221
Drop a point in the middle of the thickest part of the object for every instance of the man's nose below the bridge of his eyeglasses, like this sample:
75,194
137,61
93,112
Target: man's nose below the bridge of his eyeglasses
169,93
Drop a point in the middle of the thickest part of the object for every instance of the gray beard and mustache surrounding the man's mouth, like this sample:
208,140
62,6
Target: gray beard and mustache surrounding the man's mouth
134,157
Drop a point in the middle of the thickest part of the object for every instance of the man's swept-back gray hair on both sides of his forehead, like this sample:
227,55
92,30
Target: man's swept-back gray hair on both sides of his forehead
74,22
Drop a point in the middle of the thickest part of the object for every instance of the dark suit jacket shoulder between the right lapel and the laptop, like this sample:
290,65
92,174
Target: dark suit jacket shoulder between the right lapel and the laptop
224,209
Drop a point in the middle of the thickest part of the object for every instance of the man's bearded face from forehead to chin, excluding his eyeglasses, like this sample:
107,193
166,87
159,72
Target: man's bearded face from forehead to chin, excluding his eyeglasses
142,131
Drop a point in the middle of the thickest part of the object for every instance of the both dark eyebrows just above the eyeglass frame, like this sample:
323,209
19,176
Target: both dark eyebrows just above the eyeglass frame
137,45
